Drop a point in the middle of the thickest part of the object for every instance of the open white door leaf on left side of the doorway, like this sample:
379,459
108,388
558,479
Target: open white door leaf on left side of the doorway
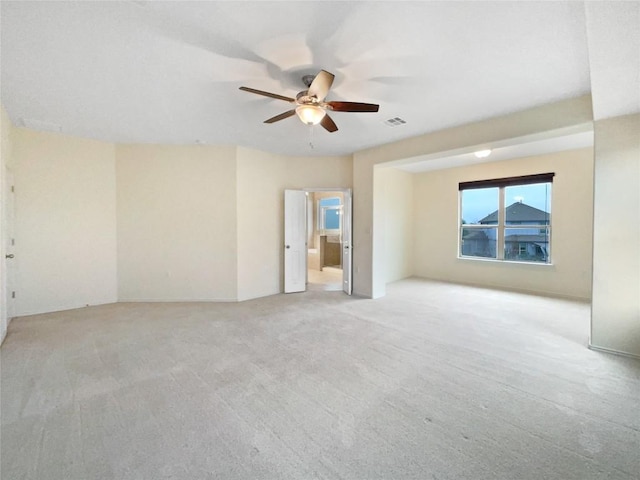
295,241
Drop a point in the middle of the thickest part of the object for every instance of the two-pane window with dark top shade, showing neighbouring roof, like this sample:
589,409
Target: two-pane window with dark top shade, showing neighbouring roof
507,219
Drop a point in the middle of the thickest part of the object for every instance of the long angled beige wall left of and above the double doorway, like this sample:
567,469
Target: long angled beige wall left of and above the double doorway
97,223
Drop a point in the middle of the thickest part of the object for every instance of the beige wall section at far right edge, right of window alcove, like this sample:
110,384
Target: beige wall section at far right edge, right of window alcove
615,322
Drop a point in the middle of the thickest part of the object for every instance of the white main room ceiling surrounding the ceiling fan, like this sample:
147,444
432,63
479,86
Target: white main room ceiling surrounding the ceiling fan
169,72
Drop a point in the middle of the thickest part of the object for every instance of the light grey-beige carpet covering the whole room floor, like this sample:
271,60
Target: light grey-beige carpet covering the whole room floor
434,381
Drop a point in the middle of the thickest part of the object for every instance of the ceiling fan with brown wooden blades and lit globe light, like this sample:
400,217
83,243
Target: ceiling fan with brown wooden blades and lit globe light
310,105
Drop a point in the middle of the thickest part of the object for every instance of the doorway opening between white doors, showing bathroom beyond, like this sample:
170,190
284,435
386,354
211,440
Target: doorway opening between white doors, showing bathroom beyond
325,242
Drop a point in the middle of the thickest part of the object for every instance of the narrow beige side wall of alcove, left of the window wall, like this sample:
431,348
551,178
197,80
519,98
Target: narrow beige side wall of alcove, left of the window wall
398,210
